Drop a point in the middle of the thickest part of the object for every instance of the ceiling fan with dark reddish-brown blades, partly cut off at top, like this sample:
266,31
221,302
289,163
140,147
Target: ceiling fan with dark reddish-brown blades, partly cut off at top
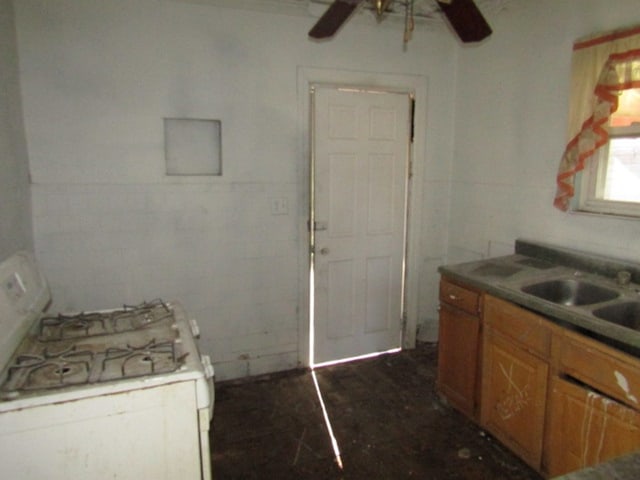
463,15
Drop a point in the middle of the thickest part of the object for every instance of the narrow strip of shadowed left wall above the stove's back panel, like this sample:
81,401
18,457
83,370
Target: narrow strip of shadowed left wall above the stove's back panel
15,202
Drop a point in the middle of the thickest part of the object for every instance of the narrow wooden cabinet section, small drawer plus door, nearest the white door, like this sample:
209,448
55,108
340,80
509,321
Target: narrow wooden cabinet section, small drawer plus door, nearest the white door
459,347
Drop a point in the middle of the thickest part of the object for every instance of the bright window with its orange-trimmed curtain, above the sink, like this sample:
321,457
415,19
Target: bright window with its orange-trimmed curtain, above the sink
603,127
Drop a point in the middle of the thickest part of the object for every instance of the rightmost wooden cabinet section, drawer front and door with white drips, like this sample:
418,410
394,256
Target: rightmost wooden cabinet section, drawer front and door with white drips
593,406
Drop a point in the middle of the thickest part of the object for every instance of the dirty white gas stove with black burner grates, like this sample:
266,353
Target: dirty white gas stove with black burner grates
121,393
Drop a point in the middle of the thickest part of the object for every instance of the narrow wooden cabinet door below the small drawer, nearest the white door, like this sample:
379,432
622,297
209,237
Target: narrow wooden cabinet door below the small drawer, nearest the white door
458,345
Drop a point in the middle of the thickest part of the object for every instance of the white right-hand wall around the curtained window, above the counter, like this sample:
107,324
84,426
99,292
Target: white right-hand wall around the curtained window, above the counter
511,113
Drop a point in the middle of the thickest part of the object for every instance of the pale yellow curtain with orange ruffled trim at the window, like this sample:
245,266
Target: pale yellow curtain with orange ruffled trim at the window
602,66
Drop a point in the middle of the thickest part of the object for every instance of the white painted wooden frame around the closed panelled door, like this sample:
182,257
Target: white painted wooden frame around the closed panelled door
413,85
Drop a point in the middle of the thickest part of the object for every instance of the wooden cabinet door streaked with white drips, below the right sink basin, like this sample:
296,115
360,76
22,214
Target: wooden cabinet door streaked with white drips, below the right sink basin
586,428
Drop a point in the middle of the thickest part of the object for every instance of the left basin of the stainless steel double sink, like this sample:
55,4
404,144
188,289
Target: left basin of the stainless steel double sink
570,292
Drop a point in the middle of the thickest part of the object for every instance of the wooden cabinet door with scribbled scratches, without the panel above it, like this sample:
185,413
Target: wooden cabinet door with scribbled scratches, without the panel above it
514,387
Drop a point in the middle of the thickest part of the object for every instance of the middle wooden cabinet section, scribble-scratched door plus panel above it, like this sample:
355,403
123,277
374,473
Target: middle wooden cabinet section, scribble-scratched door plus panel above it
514,381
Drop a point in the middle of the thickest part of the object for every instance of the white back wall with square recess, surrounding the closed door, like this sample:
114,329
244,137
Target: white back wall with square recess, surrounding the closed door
98,77
